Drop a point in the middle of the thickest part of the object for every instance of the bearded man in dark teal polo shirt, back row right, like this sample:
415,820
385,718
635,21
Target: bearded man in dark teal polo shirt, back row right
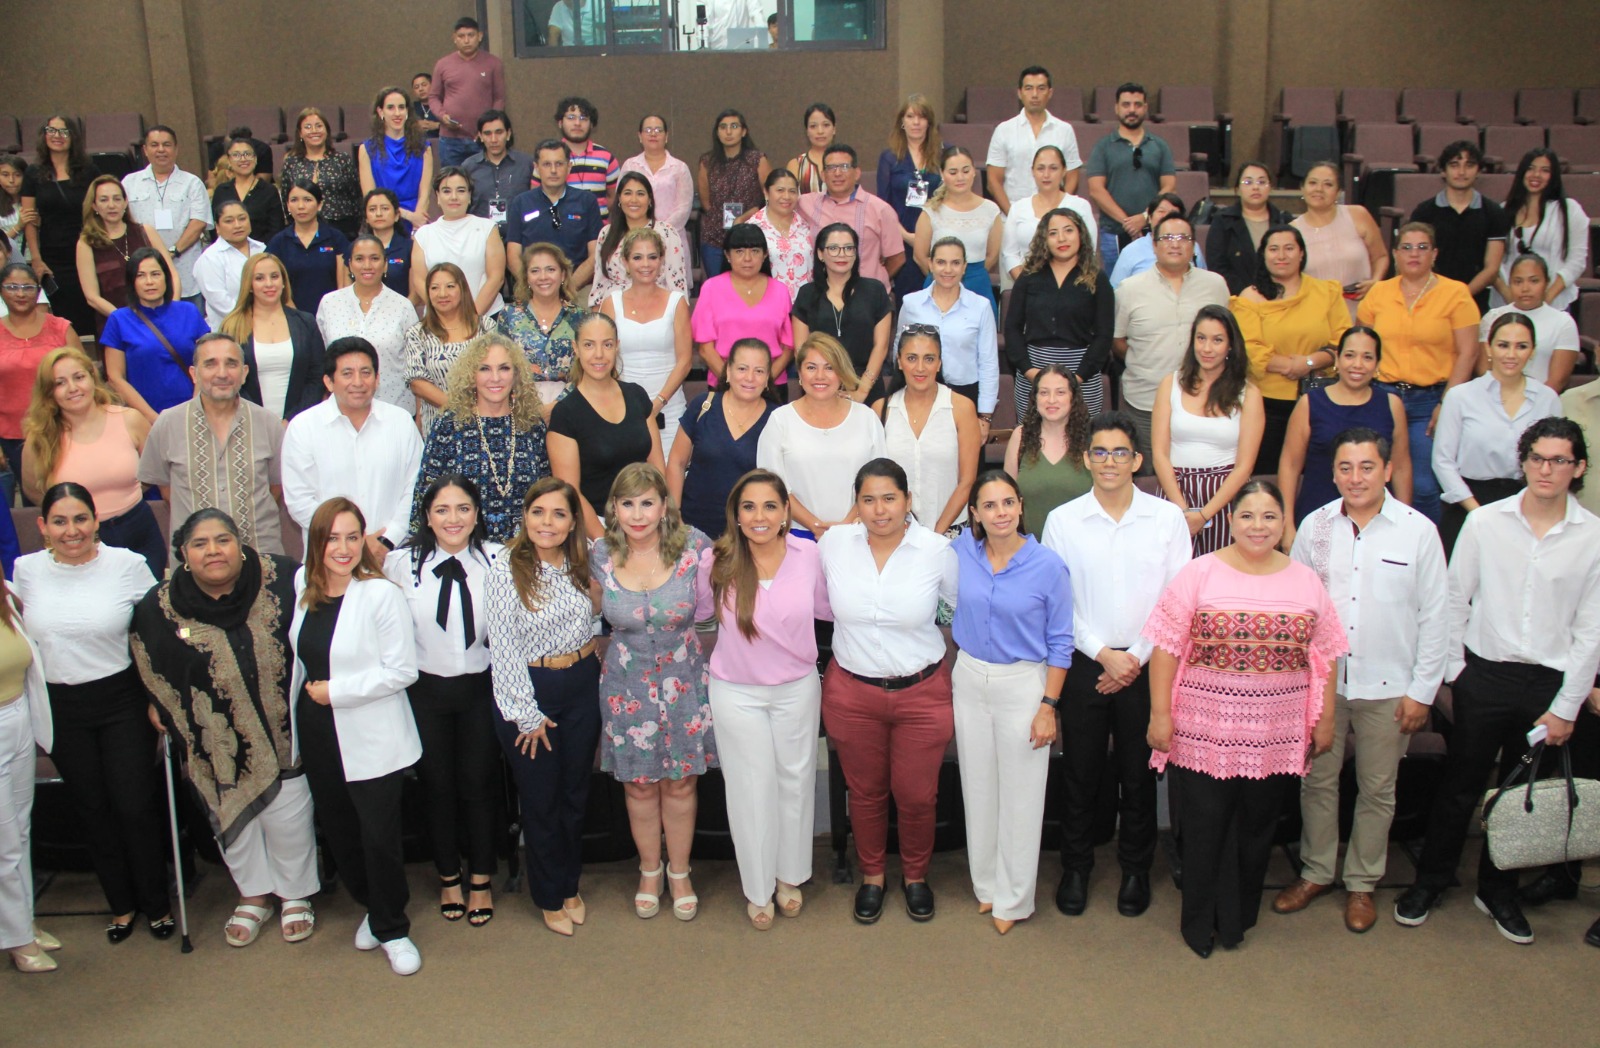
1127,170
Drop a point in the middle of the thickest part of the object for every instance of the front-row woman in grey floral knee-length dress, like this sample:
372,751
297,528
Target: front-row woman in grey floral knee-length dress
657,726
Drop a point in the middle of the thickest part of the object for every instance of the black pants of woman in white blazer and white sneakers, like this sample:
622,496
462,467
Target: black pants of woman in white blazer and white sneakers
361,822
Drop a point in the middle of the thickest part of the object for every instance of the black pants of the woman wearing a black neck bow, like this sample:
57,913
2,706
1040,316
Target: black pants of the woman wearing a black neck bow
455,716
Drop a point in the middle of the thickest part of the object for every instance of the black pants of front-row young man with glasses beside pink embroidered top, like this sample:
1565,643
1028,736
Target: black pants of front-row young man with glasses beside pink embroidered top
1089,719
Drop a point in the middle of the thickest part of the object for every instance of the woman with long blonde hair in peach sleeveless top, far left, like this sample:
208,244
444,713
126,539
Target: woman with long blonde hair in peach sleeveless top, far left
76,431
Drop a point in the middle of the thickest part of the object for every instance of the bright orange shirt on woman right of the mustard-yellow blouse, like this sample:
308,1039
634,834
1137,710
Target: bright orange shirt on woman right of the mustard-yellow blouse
1420,345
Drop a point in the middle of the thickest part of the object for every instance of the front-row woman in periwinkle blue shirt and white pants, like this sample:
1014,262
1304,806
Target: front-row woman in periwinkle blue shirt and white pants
1014,626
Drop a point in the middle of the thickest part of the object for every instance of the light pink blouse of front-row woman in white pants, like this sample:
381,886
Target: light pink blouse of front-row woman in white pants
786,641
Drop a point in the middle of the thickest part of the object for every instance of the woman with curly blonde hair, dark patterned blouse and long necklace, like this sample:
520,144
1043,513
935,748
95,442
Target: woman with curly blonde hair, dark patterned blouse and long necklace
490,431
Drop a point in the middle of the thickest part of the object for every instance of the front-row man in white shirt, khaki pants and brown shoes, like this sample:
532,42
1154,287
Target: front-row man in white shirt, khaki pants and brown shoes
1385,570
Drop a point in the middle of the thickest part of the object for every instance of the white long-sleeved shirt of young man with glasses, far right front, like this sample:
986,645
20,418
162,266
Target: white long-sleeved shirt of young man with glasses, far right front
1521,599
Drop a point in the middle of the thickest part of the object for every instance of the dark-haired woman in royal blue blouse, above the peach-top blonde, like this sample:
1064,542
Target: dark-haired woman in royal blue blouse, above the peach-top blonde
151,342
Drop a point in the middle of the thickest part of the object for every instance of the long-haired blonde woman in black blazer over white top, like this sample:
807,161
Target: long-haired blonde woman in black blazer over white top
282,345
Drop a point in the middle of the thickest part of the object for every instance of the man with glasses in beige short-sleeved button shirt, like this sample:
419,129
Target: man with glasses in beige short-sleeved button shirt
1156,313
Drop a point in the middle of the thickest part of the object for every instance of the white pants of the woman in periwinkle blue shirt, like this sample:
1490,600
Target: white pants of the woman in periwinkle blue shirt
1002,778
